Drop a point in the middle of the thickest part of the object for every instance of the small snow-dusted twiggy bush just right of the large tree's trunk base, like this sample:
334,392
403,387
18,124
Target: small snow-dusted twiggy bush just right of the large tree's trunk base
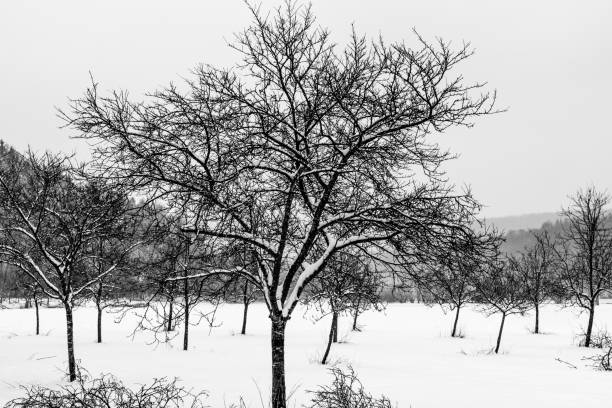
346,391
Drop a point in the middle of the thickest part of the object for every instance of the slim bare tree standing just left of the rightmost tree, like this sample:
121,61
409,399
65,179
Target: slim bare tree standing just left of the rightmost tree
536,267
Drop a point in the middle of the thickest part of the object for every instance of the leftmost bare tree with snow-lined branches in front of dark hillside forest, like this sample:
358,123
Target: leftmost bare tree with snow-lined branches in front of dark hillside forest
48,219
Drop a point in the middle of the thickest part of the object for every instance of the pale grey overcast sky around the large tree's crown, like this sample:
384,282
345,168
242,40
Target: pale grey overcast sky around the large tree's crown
550,62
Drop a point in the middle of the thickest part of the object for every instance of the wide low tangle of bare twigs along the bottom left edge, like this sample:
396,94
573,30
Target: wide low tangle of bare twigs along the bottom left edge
109,392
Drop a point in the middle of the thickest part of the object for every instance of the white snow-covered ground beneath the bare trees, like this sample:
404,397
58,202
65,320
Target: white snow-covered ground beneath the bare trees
405,353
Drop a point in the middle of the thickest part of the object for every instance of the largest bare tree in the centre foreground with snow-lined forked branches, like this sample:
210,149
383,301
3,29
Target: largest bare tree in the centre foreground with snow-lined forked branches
300,150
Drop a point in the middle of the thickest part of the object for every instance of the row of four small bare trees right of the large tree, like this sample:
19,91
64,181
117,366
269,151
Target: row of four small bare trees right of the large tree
572,266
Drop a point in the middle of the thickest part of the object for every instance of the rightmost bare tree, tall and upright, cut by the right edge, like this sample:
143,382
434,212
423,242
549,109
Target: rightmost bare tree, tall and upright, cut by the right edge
585,251
